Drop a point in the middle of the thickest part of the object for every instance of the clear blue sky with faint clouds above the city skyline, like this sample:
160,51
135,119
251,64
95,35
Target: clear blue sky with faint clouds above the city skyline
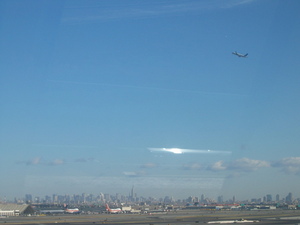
87,87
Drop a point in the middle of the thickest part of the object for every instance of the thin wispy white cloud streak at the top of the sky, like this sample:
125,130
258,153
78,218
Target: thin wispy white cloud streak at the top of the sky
141,10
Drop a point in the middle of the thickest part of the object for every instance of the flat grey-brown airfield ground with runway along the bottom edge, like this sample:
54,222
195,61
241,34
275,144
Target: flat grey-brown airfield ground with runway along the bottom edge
184,217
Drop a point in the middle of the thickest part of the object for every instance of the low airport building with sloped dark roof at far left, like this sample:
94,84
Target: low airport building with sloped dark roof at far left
15,209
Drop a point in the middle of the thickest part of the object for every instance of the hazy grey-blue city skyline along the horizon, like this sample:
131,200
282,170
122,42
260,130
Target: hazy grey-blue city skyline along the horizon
134,197
